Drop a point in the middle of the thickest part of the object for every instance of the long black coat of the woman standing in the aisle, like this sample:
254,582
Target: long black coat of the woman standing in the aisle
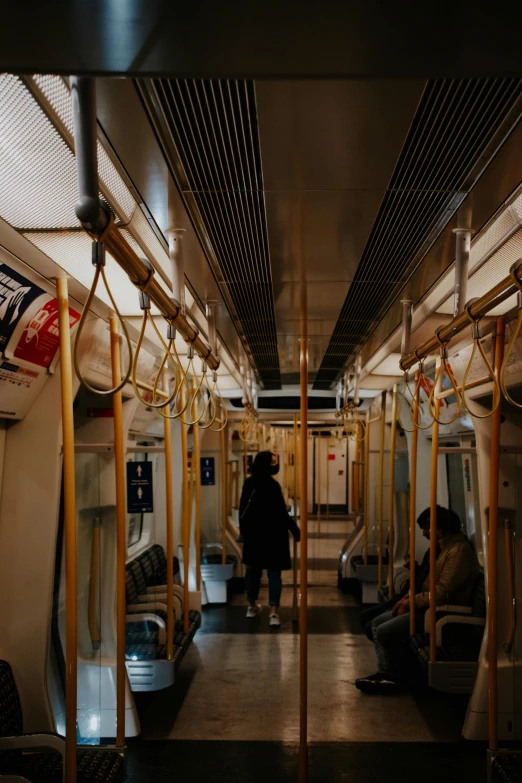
264,524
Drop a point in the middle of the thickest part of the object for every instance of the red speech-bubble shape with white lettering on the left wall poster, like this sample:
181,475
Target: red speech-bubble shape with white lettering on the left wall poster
40,339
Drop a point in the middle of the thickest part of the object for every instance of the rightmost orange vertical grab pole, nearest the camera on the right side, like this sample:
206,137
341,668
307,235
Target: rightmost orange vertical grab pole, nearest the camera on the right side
493,547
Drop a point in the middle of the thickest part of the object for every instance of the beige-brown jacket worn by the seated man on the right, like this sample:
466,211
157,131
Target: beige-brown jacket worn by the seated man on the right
455,565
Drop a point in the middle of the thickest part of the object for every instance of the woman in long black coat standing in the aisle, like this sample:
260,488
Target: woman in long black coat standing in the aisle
264,524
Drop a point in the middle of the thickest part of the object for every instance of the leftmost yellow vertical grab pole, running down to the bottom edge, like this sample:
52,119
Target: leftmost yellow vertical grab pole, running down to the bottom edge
69,489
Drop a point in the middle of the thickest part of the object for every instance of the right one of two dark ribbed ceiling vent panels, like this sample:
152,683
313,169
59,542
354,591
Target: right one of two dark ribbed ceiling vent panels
453,125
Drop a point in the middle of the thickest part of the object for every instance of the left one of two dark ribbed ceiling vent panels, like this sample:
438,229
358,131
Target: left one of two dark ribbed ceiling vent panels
215,156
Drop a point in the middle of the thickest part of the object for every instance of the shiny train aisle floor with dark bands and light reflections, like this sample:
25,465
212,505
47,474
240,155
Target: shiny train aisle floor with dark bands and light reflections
233,714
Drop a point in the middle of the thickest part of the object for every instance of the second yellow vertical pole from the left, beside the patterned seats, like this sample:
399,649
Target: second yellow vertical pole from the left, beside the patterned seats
121,542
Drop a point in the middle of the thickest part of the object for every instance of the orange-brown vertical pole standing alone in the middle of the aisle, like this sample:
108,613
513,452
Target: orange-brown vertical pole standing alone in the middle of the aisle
303,578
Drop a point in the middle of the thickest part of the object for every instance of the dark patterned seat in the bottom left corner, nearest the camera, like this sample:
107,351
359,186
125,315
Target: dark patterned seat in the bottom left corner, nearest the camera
39,757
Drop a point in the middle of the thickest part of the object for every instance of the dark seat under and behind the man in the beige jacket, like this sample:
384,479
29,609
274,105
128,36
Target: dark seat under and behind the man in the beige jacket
459,633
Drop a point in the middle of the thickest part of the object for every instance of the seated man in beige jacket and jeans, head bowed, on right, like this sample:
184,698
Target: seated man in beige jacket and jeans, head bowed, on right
454,571
